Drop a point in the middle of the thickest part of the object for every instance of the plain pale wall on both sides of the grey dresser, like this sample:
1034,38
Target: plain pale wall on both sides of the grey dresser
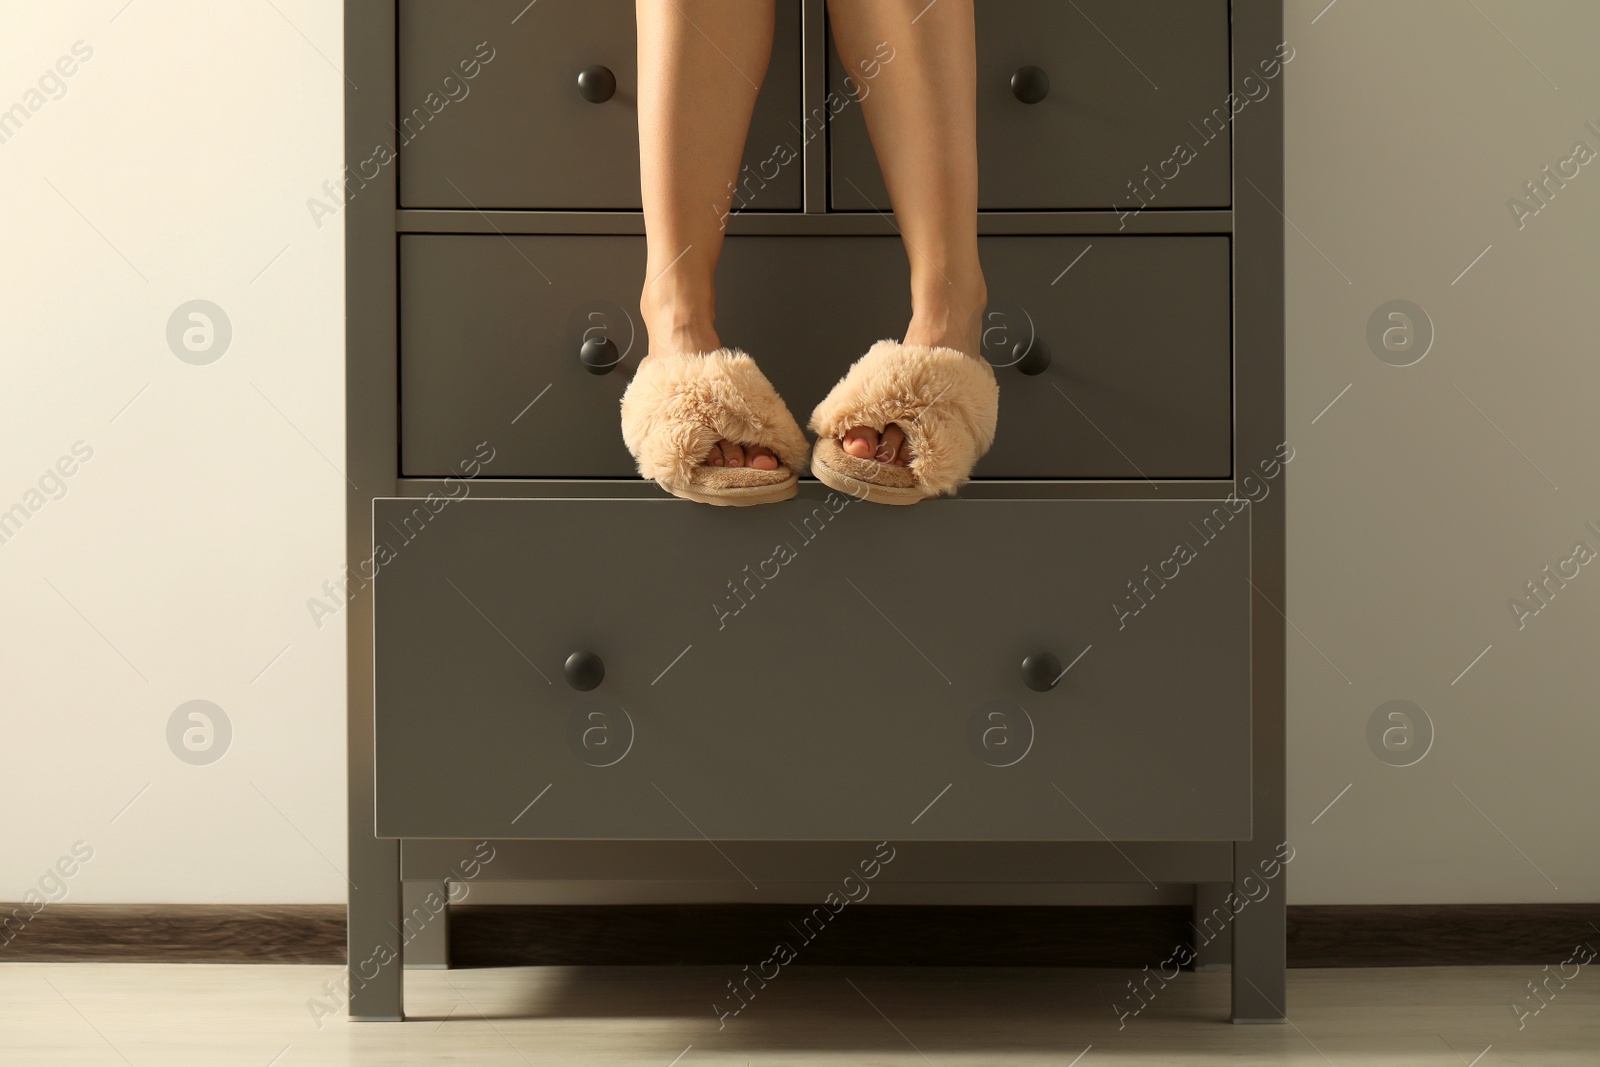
178,564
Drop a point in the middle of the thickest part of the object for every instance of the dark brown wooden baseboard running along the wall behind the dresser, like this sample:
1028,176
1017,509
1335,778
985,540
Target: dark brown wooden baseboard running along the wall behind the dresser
1410,935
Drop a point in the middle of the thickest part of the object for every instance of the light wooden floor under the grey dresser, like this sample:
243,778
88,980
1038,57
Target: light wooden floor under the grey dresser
258,1017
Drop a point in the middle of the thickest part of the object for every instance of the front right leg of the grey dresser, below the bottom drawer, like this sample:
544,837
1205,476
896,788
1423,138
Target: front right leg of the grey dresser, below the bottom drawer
1260,980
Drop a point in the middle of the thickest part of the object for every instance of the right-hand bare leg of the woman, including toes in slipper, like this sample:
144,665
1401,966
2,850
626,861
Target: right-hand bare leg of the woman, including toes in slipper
922,114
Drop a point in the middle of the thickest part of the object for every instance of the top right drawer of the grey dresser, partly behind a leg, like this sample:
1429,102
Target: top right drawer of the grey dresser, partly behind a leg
1103,119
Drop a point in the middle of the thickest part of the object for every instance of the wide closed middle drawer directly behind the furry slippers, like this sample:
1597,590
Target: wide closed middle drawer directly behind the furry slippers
1138,335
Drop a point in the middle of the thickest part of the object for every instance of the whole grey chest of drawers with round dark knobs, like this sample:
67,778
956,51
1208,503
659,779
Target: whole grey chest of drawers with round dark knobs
1073,674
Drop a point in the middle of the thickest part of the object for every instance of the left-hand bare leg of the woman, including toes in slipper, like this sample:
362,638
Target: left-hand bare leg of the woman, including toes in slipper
700,68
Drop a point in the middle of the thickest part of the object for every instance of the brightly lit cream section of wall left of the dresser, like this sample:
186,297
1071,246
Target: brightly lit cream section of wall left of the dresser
177,565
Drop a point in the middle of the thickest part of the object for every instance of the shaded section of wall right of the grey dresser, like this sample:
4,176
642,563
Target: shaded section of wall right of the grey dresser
1415,518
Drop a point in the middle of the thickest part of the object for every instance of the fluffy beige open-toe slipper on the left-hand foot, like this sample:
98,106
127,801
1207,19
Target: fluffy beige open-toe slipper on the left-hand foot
679,407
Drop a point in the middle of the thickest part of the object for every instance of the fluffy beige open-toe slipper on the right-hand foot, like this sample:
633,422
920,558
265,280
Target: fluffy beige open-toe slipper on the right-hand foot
945,401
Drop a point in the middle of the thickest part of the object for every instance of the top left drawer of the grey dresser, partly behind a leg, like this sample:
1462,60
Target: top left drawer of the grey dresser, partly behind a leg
524,137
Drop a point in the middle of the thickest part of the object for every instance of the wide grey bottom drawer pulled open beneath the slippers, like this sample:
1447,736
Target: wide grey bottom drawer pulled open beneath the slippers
806,671
